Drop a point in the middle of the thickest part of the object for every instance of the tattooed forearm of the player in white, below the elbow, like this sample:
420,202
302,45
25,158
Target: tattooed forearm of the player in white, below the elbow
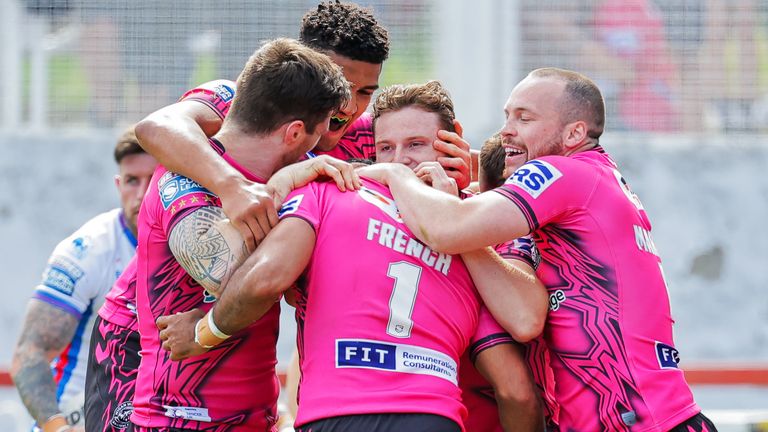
32,376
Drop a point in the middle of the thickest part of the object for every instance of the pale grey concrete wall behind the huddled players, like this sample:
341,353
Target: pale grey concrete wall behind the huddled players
706,198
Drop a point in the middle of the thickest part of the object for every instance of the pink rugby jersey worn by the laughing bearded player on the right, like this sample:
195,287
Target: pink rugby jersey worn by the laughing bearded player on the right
609,327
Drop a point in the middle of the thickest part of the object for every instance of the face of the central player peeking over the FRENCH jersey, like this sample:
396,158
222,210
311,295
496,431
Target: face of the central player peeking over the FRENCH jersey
405,136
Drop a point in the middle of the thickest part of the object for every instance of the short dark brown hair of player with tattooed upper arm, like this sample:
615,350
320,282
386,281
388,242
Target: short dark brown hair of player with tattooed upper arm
285,81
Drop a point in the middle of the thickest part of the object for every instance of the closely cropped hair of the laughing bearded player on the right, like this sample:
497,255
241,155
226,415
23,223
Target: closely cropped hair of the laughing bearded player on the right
582,99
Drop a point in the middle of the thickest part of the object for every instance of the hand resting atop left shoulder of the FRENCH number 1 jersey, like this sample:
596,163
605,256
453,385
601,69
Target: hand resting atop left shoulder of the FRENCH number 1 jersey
301,173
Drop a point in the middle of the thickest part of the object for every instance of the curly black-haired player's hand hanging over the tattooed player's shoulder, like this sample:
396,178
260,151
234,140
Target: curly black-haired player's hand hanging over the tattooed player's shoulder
251,209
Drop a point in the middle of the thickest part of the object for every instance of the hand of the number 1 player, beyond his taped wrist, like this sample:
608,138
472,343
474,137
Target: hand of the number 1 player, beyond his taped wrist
177,333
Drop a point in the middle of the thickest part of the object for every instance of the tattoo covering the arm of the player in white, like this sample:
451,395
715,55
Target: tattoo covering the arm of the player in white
47,330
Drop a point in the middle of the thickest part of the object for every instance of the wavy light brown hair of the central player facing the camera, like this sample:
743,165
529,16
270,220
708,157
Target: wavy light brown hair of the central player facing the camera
430,96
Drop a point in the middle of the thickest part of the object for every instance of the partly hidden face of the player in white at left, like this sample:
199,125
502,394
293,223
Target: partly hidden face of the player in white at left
132,182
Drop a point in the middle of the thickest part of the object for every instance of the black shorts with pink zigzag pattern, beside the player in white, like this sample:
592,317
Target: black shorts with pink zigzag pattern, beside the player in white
110,379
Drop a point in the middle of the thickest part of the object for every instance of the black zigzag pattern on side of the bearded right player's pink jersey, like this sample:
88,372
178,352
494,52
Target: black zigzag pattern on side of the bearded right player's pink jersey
592,294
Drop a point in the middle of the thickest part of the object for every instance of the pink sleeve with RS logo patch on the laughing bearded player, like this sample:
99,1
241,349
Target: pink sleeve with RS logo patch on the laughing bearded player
546,189
